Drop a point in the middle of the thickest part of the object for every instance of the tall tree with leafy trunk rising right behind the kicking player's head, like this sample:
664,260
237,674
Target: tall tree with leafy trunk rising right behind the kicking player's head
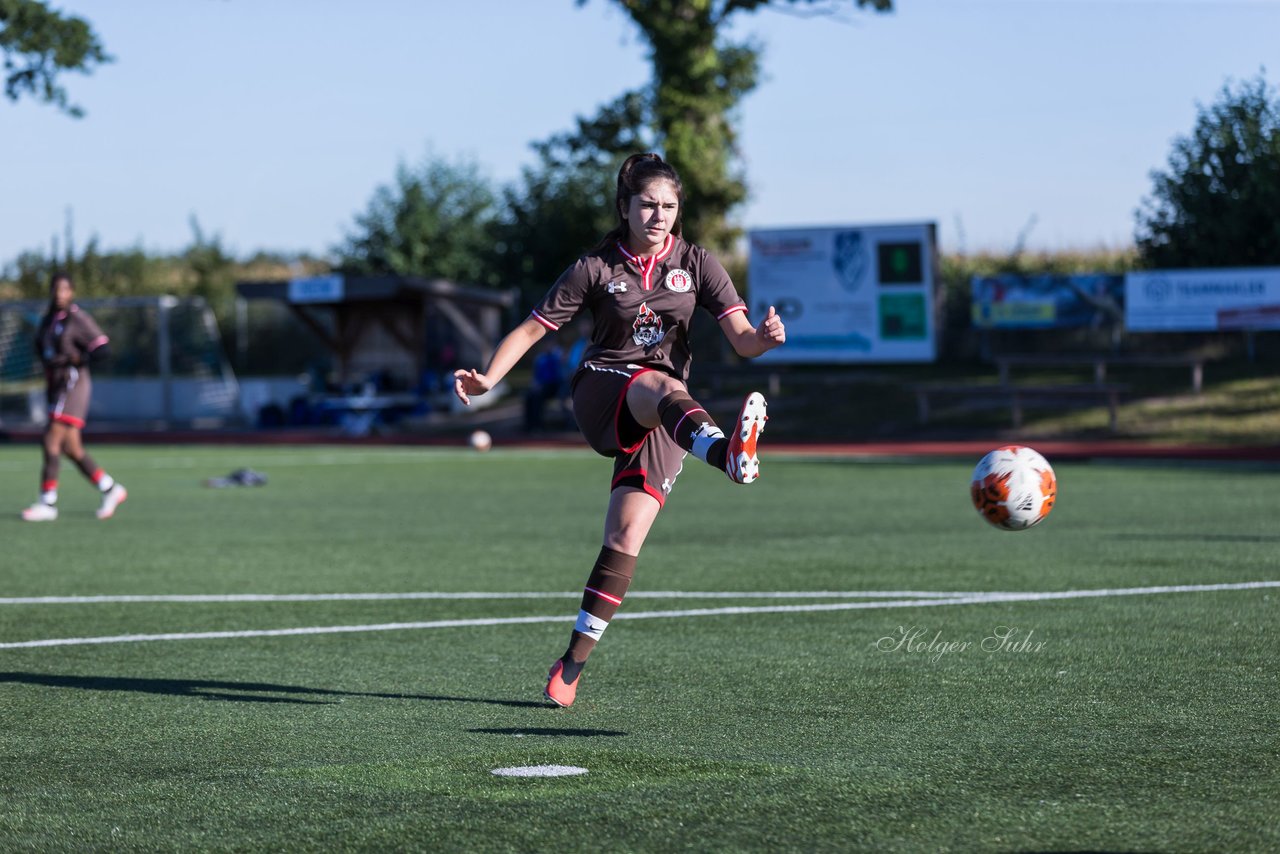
698,81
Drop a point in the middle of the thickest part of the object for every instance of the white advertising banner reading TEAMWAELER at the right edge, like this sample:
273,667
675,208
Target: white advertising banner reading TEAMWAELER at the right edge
1204,300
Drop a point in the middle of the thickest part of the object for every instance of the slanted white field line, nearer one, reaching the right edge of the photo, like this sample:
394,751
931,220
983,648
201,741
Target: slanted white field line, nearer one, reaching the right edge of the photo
976,599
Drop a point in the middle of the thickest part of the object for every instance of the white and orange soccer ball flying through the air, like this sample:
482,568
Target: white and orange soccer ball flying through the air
1014,488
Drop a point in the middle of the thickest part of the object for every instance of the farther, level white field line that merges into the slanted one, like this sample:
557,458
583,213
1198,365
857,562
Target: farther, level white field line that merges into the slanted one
391,597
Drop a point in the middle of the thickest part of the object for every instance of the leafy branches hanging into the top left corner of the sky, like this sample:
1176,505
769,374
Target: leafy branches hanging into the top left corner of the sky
39,44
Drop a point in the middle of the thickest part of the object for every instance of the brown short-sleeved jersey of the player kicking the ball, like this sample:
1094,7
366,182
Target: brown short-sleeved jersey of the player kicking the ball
641,308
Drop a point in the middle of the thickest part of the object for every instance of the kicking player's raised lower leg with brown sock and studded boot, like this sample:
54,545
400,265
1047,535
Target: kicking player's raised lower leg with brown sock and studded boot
693,430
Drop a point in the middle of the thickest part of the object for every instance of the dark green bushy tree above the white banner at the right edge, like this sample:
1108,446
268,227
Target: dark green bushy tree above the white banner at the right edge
1217,204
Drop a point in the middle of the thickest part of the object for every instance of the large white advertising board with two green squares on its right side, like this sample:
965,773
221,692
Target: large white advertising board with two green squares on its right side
853,294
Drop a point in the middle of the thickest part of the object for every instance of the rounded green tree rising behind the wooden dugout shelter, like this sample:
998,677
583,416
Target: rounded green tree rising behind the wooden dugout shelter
436,221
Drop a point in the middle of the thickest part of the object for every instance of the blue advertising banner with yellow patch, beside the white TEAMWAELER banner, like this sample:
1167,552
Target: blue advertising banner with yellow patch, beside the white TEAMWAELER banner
1011,302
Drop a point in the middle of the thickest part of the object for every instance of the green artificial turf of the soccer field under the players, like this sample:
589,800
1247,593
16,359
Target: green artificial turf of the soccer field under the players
1119,723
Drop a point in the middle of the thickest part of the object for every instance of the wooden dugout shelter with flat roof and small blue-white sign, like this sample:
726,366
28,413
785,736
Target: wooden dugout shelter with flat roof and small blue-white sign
388,322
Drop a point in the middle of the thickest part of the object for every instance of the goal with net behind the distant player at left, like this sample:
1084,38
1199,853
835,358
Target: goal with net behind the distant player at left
167,366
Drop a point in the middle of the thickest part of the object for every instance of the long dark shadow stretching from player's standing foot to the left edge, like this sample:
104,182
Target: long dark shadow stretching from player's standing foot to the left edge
236,692
